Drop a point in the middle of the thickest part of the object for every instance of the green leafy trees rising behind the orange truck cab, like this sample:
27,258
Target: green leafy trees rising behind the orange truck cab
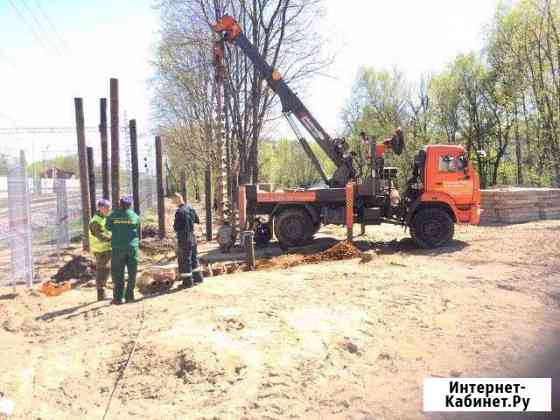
504,100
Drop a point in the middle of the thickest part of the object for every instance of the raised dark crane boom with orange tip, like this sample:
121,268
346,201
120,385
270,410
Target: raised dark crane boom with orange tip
292,105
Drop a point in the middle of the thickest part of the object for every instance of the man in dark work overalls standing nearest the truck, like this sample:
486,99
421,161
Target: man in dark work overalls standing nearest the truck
187,257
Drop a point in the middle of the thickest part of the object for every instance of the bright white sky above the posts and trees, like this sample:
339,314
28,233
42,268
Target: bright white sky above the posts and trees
54,50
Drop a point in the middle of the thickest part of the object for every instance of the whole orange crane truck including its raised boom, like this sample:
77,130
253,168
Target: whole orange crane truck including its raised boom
443,190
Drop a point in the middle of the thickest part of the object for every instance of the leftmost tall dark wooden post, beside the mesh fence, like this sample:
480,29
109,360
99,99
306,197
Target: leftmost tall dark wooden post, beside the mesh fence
82,158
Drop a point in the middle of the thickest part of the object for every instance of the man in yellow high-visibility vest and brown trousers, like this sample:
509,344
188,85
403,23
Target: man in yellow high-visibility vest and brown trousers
100,246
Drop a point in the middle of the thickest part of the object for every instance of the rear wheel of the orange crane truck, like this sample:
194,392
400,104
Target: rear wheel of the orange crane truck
293,227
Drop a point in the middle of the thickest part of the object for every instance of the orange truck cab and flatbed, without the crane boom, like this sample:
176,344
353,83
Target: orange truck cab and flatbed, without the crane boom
446,181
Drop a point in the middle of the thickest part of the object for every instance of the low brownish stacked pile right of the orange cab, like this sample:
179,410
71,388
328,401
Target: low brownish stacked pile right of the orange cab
519,205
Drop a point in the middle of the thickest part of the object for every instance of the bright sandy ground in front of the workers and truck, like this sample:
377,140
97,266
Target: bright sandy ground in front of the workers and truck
338,340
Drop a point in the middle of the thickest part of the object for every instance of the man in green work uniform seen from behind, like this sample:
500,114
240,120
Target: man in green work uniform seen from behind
125,227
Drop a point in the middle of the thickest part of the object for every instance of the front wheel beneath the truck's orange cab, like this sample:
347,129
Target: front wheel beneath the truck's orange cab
432,227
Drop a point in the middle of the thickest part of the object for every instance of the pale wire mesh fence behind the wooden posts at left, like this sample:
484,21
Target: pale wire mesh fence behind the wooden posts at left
41,216
